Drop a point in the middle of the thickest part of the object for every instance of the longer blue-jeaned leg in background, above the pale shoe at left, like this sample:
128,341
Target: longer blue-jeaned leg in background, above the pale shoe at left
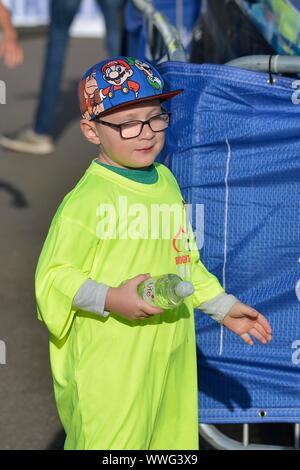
62,15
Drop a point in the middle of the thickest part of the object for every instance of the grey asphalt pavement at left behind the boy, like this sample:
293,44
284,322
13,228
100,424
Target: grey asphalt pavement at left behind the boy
31,188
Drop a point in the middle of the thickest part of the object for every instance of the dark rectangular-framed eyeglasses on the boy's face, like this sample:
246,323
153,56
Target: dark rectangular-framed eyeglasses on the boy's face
132,129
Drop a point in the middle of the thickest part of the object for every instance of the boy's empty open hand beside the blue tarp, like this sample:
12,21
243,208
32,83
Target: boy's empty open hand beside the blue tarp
244,320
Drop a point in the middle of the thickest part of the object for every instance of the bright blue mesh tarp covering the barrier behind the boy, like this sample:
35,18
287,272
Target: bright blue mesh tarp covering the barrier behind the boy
234,146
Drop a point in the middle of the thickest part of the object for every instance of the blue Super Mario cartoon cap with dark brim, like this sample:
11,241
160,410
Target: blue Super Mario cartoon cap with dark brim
114,83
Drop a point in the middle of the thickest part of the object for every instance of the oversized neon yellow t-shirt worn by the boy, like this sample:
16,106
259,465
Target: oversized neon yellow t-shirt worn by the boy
122,384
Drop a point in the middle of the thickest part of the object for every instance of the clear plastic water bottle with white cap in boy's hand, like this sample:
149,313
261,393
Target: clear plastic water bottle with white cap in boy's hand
166,292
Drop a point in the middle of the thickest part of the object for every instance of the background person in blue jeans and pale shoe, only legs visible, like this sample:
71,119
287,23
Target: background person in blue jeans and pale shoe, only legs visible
38,139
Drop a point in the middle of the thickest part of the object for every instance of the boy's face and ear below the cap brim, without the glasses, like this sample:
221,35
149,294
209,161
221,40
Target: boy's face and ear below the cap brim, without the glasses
137,152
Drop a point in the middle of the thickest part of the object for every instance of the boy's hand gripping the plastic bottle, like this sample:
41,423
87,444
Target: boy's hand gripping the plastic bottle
125,301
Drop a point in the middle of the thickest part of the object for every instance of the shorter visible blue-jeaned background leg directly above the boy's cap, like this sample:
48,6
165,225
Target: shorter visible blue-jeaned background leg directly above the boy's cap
112,15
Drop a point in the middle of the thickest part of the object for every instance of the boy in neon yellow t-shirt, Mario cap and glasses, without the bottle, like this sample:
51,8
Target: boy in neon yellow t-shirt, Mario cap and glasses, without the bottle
124,371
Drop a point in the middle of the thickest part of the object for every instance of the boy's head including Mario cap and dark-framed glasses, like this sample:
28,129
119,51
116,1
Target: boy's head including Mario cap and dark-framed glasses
114,95
